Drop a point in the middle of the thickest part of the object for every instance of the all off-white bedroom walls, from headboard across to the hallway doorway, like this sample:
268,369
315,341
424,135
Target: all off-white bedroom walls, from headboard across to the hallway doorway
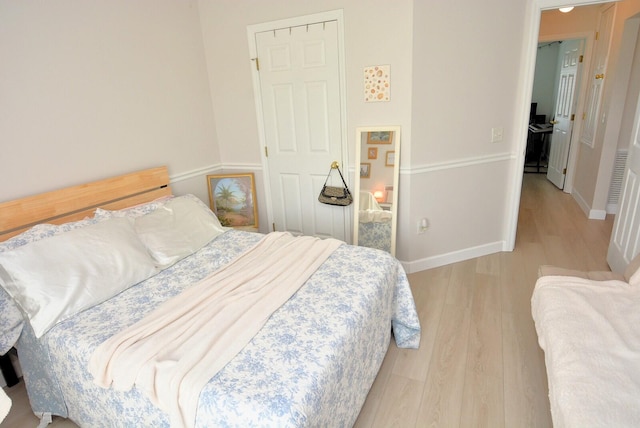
92,89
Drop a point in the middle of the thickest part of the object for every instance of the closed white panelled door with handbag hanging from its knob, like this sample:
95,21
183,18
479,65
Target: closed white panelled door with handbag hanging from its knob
299,78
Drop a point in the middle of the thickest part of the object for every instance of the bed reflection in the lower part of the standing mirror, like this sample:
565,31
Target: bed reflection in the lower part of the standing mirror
374,223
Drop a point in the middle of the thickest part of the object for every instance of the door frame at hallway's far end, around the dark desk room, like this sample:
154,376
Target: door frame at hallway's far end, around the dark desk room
574,140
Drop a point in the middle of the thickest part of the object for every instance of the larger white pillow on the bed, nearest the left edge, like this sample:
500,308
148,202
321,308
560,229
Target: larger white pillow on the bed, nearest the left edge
58,277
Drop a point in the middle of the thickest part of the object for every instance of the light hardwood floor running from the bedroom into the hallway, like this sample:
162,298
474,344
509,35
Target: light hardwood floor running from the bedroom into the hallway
479,364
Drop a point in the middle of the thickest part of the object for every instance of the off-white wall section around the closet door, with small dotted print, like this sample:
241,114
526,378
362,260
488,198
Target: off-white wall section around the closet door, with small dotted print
376,32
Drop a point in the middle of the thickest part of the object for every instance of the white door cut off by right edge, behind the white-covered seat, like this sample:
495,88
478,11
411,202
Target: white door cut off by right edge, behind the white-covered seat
625,237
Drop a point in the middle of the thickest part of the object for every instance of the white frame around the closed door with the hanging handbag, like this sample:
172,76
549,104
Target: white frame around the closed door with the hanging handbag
332,15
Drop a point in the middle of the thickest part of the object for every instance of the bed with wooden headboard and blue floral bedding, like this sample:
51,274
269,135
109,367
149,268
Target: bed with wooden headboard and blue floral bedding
312,363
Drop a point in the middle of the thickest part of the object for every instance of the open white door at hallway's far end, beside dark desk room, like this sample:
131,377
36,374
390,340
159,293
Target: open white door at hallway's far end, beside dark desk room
569,55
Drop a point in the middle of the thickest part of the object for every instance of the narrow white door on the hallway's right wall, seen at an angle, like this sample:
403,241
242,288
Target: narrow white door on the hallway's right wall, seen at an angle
593,100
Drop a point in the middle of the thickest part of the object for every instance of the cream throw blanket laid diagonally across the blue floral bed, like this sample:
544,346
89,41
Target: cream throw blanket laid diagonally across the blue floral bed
175,350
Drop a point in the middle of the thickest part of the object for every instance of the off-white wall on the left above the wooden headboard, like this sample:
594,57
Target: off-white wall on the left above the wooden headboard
93,89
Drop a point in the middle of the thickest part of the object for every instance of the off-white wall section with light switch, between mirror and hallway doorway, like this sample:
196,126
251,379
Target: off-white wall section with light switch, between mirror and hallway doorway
466,75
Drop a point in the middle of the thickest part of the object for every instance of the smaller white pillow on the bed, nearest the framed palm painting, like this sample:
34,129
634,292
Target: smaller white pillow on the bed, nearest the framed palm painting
177,229
